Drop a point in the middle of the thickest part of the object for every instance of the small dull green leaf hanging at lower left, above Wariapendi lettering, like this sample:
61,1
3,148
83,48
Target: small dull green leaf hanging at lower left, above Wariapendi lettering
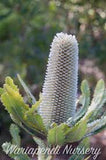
14,130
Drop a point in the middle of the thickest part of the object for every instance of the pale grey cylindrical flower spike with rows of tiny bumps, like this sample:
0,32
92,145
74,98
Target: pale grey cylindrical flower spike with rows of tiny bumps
60,86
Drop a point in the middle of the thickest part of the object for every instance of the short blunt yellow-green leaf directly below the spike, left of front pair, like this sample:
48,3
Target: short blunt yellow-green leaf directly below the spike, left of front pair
56,135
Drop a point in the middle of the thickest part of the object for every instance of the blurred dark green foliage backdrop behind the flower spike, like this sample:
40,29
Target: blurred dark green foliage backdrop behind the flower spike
27,28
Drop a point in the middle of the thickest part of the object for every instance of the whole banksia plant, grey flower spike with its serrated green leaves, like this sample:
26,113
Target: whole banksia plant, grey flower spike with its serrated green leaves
54,120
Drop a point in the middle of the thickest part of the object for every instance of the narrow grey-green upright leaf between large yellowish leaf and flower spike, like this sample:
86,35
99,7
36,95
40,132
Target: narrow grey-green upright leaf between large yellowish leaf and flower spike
29,94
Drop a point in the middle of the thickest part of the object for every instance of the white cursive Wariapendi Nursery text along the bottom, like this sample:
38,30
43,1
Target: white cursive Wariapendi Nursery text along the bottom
68,149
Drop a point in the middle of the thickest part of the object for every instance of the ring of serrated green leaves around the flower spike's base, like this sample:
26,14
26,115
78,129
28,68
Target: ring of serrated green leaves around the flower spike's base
84,124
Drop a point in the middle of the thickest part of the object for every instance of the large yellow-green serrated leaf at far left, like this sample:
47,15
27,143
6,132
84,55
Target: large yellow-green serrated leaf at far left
16,107
